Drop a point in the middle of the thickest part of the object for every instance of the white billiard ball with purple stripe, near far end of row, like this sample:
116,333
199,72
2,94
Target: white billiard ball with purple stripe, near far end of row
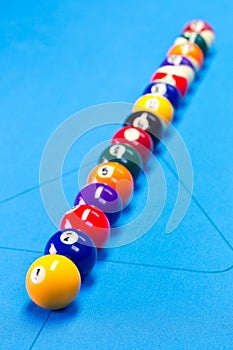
175,64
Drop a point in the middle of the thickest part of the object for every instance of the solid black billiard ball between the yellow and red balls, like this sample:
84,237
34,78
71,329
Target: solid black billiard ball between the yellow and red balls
148,122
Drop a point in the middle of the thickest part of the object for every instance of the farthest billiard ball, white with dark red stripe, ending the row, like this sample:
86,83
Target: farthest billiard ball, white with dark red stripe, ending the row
203,28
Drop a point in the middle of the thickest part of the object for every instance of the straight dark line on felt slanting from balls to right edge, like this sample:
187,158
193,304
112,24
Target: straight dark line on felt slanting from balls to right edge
211,221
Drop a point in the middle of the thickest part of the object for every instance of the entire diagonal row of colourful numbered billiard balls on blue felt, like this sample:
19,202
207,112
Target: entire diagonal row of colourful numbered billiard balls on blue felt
54,280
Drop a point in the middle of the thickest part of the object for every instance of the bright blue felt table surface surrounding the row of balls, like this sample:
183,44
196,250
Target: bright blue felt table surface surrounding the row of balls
162,291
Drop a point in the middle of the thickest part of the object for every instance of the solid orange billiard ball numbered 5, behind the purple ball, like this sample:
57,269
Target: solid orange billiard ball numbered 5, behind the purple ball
115,175
